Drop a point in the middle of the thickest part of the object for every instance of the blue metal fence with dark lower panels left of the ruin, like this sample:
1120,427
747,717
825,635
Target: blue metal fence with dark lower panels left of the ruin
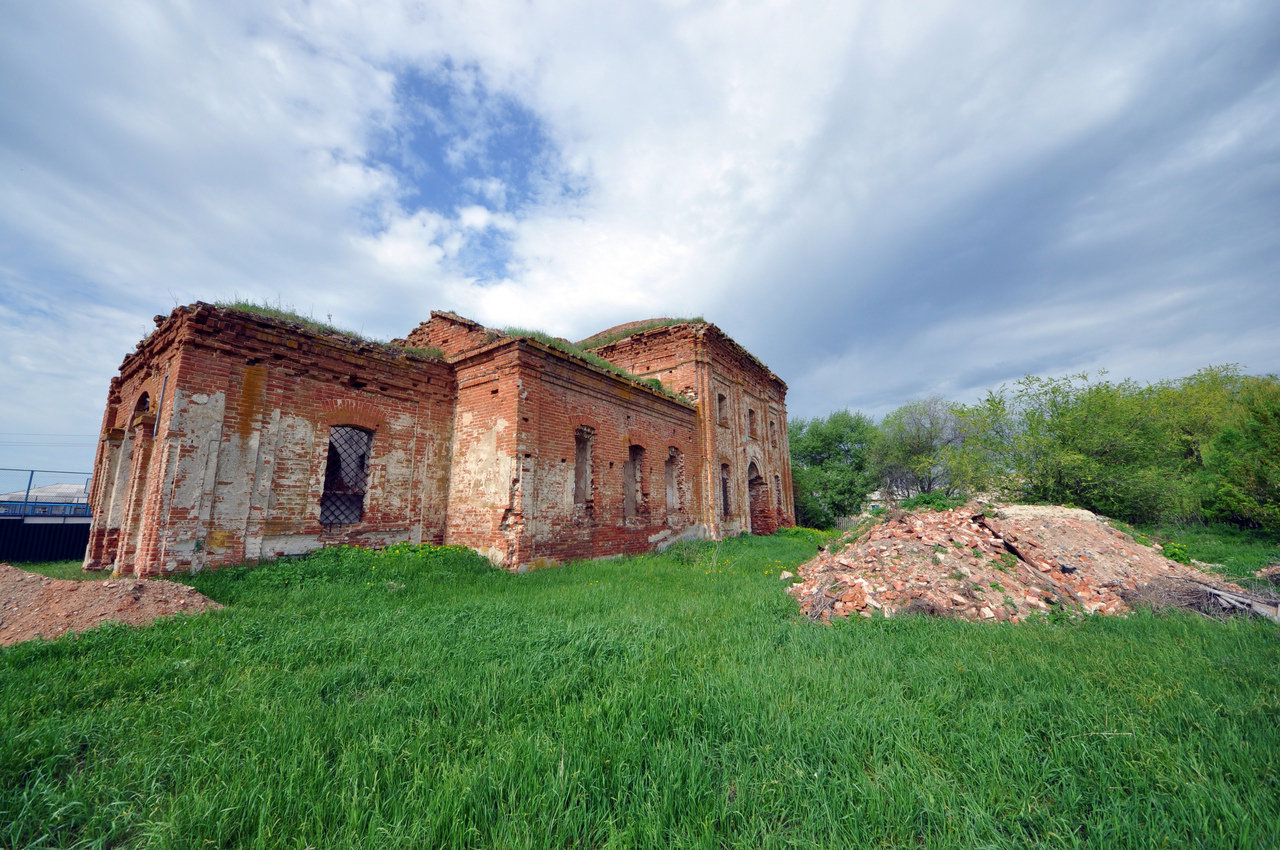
44,515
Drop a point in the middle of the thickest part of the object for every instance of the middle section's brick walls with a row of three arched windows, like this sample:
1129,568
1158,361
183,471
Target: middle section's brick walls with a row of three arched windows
514,482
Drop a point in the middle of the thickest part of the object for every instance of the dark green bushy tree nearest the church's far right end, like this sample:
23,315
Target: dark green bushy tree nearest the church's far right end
830,467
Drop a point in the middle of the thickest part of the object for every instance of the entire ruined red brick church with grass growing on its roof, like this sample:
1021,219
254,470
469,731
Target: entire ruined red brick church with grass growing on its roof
232,436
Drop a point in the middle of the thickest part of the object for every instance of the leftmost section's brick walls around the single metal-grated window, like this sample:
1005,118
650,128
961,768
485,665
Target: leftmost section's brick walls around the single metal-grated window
234,468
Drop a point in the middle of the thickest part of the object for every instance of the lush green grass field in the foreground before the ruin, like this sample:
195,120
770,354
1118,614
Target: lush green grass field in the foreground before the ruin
420,700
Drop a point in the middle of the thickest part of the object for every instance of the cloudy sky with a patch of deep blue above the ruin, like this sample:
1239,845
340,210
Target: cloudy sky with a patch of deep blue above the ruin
883,202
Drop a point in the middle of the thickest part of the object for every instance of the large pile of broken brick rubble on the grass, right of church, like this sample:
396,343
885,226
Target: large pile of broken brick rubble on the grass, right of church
1004,564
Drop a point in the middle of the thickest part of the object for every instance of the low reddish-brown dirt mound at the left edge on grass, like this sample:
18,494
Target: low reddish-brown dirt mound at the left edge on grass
40,607
